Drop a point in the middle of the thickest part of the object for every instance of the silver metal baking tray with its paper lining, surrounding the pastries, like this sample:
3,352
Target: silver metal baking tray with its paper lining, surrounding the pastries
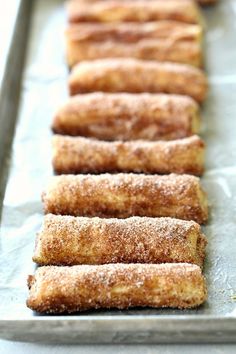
44,86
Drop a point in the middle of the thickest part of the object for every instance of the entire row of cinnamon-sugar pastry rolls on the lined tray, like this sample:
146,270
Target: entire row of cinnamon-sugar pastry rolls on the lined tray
122,217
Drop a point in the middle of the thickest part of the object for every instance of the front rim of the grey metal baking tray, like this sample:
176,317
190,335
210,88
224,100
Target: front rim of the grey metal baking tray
129,329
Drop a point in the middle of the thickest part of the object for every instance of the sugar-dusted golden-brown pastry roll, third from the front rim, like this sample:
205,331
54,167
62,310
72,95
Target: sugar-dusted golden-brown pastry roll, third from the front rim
123,195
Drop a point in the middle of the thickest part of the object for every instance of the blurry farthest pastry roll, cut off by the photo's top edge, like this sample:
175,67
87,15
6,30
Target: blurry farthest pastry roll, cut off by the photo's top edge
133,11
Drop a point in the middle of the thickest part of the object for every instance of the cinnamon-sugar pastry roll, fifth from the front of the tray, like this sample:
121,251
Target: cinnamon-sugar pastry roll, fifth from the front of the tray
125,116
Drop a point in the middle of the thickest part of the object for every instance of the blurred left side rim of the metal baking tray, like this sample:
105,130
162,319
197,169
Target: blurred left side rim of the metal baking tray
11,75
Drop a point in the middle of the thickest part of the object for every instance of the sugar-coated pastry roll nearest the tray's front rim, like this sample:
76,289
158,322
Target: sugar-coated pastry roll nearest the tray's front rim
70,289
